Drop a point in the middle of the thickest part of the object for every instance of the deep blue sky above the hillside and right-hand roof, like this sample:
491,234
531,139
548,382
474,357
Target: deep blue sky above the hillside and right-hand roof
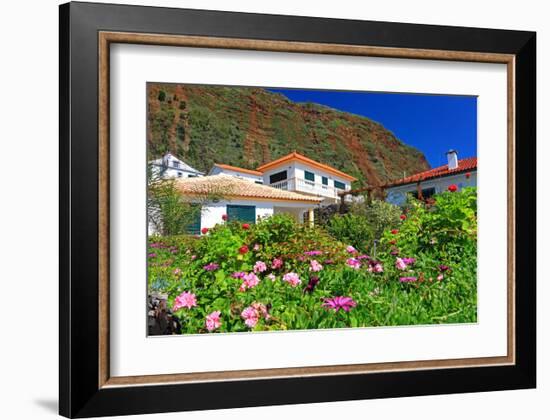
432,123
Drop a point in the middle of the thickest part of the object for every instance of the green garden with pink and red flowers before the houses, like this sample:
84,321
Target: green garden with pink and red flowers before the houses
375,265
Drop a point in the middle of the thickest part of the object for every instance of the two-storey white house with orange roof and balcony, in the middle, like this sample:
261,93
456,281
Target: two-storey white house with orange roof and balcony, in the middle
295,172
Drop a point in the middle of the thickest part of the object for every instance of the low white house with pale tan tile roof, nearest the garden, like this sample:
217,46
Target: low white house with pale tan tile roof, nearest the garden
243,200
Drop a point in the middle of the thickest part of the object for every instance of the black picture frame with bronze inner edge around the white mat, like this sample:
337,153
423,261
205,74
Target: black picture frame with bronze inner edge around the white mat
87,31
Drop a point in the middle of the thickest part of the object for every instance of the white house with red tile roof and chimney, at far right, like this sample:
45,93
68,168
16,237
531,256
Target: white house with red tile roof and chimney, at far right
460,172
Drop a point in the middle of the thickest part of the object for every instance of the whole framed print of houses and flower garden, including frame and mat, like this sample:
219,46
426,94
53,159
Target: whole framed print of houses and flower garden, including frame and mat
281,209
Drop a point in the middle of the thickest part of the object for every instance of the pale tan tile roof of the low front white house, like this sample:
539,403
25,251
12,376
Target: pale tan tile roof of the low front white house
233,187
